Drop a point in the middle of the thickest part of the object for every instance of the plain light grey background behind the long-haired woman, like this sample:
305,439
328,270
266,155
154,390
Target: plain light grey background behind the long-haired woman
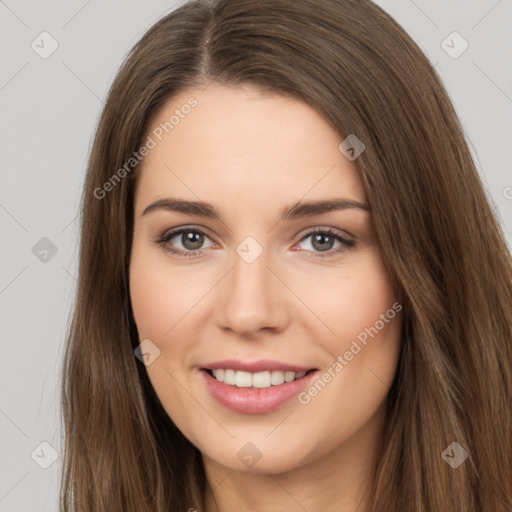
50,108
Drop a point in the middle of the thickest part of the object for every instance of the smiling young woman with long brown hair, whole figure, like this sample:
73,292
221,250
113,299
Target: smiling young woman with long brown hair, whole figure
293,293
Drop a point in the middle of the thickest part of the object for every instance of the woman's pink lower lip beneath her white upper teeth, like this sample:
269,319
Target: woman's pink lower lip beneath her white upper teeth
255,401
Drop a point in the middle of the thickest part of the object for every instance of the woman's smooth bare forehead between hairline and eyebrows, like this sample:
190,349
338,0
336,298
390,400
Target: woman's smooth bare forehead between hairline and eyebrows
224,144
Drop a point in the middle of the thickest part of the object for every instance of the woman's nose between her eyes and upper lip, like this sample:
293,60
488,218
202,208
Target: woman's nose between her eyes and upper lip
252,298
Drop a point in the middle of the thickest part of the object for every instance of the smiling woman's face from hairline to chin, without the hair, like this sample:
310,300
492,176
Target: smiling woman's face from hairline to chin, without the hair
260,288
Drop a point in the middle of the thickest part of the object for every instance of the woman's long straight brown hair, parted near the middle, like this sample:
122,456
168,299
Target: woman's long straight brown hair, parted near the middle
436,230
